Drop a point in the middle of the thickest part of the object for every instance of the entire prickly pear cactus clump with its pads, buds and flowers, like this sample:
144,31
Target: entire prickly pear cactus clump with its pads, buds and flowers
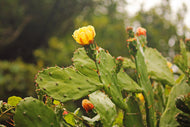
113,95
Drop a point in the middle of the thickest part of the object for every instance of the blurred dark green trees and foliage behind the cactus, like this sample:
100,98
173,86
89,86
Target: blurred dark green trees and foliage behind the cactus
37,34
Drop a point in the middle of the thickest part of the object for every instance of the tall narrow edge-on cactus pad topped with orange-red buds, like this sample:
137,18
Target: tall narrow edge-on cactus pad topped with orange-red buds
136,46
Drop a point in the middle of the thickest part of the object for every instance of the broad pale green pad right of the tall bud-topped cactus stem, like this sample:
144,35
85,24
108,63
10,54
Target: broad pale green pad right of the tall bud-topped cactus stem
157,66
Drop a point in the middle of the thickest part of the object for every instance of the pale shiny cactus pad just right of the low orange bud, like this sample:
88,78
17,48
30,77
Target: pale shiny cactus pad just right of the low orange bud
105,108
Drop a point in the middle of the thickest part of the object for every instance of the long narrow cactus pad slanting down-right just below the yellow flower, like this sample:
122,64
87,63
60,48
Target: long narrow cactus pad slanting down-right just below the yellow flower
107,72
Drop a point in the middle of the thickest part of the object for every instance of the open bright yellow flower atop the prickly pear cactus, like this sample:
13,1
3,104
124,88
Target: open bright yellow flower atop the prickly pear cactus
84,35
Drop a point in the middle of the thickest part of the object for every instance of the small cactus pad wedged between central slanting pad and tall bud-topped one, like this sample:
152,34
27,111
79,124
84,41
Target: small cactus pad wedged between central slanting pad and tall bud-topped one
127,84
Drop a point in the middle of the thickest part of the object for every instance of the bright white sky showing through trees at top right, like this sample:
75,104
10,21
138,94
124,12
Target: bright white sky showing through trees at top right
134,6
